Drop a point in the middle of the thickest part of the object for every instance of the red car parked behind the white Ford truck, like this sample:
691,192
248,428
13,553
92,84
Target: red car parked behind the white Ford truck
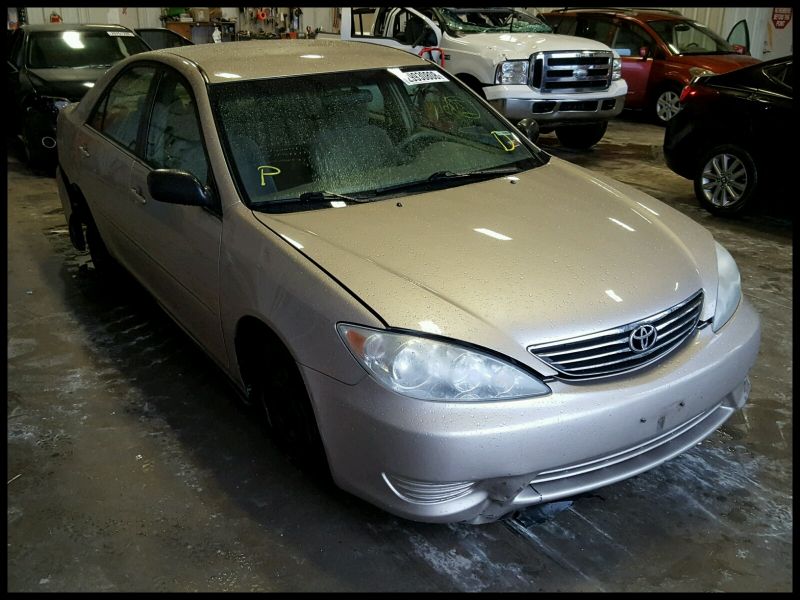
661,50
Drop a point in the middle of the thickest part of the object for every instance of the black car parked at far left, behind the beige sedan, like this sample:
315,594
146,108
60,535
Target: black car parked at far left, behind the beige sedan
50,66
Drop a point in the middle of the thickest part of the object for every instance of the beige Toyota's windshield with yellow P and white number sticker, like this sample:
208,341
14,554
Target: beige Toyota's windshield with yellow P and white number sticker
359,136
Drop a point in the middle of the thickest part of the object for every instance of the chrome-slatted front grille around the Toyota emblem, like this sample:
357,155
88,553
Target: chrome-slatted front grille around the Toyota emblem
609,352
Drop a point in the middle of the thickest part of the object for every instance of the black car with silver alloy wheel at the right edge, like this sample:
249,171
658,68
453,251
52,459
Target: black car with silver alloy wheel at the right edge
724,139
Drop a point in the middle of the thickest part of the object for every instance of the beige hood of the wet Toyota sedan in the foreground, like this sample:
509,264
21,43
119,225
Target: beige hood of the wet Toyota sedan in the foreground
563,252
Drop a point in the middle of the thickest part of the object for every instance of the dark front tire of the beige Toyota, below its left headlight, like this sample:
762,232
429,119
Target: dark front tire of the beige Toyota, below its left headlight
277,389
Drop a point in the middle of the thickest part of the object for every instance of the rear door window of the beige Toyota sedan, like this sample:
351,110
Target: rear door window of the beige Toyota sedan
118,114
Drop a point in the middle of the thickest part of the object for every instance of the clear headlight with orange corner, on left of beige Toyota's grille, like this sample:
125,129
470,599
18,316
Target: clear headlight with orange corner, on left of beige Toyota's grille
429,369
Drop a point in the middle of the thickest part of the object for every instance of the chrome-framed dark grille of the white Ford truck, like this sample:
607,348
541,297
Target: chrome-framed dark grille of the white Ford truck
579,71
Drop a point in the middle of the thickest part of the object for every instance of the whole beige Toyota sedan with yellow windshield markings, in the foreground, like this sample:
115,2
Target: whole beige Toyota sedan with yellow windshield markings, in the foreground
455,322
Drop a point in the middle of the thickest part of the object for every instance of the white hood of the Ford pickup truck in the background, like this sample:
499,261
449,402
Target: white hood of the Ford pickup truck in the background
509,46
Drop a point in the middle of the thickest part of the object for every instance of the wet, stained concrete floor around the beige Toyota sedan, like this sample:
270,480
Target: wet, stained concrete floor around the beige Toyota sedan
131,468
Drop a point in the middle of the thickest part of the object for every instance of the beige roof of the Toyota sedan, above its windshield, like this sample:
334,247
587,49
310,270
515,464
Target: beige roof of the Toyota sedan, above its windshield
260,59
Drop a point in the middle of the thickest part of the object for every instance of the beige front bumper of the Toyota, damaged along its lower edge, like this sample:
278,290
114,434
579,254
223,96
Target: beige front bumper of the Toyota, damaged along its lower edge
448,462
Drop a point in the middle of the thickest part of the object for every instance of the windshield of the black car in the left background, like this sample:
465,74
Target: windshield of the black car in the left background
76,49
